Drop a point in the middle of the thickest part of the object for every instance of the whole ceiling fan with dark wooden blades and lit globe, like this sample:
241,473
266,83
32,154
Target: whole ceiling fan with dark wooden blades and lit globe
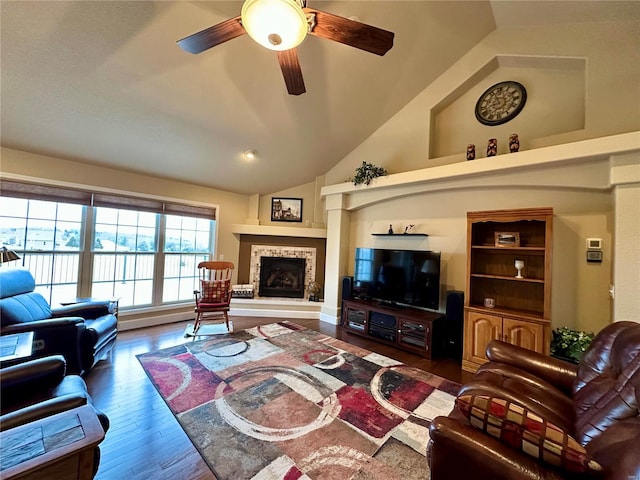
281,25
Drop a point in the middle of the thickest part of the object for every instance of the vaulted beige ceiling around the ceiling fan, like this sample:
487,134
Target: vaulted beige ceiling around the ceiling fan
105,83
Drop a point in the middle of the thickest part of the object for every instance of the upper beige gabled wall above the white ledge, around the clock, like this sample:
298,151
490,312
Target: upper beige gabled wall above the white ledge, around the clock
611,95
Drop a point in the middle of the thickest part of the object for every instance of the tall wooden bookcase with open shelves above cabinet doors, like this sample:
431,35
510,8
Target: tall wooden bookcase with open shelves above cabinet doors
522,306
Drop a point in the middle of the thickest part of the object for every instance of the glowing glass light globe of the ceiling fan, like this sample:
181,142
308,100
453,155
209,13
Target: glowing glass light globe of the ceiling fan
275,24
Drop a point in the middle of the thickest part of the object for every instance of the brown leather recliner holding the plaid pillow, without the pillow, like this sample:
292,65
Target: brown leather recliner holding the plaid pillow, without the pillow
595,403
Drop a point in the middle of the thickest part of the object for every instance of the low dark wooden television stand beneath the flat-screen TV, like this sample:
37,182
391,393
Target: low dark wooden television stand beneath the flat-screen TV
406,328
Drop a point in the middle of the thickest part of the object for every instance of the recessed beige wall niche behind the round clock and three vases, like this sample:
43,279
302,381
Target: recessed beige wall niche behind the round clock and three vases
552,84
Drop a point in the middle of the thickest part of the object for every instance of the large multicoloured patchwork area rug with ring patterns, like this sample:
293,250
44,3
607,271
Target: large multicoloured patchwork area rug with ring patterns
280,401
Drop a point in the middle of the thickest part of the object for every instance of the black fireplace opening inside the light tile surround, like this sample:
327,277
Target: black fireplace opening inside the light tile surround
282,277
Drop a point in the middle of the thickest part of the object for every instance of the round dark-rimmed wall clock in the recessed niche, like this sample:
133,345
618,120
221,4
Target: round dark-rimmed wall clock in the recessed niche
500,103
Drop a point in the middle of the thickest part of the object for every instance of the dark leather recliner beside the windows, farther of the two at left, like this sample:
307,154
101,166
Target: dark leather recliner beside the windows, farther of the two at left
83,333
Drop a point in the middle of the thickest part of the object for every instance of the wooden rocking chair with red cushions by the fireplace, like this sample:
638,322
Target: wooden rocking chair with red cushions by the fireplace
214,296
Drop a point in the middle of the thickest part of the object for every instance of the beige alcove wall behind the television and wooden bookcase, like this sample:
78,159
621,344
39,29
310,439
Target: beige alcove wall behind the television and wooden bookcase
579,290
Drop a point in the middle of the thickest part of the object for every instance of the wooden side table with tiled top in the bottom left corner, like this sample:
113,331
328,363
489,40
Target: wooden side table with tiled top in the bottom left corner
60,447
